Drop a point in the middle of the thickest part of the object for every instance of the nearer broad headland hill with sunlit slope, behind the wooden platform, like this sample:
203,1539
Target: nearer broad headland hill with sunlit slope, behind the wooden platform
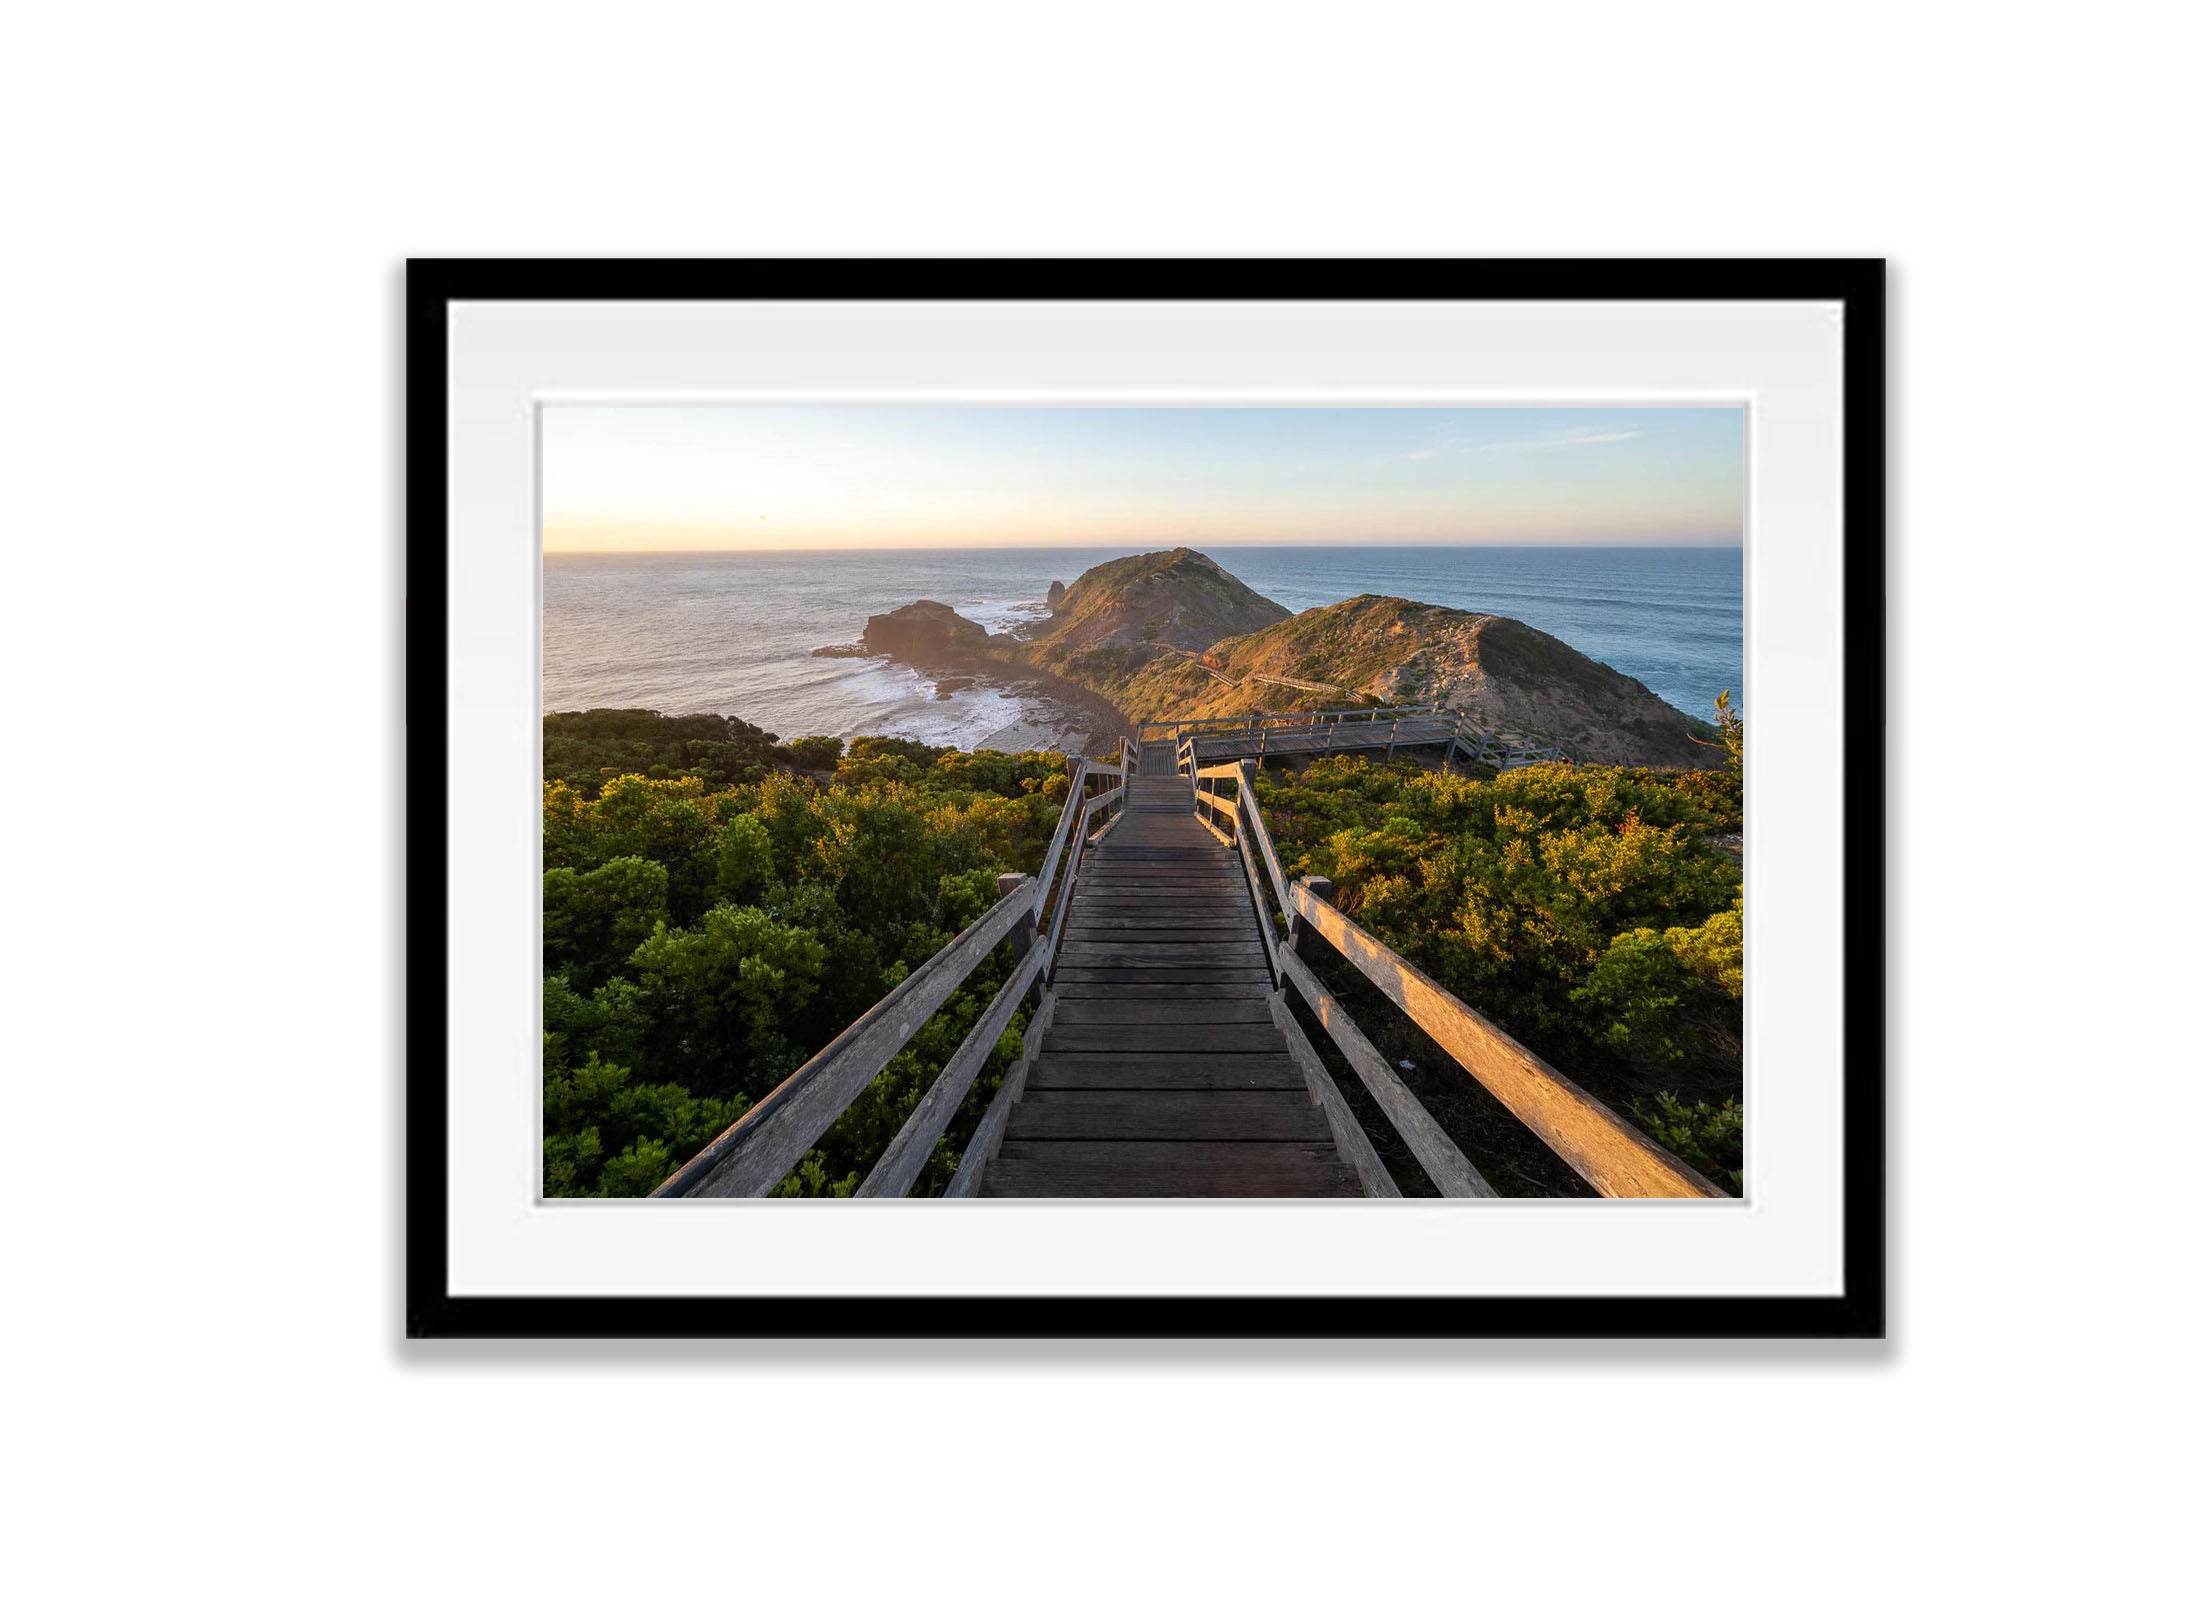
1504,675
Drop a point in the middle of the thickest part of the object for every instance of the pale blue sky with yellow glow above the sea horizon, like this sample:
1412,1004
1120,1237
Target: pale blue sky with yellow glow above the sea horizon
883,476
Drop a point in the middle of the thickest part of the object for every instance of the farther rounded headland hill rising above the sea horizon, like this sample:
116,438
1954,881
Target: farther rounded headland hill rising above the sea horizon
1145,609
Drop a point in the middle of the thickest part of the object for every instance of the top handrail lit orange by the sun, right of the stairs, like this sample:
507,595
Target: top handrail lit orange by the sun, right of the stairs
1607,1152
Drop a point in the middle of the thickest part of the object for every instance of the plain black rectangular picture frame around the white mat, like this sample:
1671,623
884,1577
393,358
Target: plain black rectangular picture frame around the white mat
434,1313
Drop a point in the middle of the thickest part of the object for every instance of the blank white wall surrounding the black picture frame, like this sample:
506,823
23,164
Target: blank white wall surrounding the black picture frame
208,212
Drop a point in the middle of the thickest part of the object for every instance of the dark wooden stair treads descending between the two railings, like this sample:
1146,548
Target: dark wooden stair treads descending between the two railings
1165,1073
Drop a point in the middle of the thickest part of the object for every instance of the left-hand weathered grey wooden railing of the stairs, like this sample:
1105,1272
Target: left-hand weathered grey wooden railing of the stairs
751,1157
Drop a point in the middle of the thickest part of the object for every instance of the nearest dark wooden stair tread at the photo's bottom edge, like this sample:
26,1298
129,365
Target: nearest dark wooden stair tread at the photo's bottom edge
1167,1170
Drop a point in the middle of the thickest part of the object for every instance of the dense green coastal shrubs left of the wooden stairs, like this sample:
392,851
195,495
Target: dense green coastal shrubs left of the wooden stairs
720,906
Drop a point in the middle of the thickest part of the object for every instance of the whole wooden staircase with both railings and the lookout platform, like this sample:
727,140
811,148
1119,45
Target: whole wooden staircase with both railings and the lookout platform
1160,1057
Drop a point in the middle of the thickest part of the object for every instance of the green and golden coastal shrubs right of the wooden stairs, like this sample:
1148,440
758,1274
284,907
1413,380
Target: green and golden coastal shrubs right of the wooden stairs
1592,912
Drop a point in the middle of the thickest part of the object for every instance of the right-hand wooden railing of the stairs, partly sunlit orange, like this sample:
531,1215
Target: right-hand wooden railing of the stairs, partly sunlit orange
1614,1157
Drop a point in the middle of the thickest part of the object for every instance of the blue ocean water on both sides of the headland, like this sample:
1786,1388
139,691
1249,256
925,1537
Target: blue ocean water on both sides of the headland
734,631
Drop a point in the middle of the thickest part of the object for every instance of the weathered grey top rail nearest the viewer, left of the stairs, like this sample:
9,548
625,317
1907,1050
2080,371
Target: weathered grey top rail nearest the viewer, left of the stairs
751,1157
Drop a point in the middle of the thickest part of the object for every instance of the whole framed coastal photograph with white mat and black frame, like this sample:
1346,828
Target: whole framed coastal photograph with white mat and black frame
1145,798
